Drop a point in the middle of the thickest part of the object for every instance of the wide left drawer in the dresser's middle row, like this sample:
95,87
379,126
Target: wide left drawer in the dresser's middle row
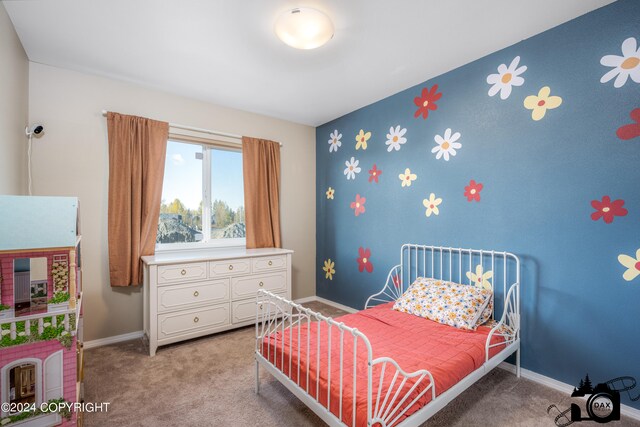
192,294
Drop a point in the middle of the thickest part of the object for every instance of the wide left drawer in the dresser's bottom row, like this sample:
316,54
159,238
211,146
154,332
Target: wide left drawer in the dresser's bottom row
189,321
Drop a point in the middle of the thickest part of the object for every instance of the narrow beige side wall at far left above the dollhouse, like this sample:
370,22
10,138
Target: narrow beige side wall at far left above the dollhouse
14,96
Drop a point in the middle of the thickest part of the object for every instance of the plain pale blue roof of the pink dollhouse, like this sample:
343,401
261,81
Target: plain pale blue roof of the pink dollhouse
37,222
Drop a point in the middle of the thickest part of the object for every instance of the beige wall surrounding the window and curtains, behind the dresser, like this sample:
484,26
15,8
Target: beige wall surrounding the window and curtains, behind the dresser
71,159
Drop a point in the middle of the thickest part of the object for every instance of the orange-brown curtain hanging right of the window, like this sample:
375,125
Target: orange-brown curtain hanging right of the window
261,170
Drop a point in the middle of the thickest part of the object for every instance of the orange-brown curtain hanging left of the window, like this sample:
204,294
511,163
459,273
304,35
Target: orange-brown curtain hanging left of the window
137,151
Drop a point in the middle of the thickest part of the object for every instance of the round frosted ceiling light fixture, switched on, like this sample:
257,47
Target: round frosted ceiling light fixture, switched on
304,28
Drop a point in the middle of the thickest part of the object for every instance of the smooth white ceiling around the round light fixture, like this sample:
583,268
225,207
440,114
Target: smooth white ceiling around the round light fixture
225,51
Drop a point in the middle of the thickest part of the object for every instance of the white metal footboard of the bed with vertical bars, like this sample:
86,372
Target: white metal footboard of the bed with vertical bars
385,405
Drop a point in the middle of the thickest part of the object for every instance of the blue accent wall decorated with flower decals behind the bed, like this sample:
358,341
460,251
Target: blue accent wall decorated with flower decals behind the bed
540,178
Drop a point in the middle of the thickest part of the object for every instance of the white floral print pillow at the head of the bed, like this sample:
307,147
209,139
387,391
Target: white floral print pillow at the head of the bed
453,304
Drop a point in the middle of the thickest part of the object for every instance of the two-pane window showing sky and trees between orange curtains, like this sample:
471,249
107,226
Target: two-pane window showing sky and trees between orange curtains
202,197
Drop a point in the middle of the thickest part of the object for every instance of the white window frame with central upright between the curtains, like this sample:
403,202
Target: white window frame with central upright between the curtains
207,144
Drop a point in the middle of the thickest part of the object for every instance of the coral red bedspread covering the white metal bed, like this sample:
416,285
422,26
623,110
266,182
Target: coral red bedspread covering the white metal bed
414,343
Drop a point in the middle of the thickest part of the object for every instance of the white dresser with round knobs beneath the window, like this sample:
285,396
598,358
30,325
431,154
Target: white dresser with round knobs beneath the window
193,293
